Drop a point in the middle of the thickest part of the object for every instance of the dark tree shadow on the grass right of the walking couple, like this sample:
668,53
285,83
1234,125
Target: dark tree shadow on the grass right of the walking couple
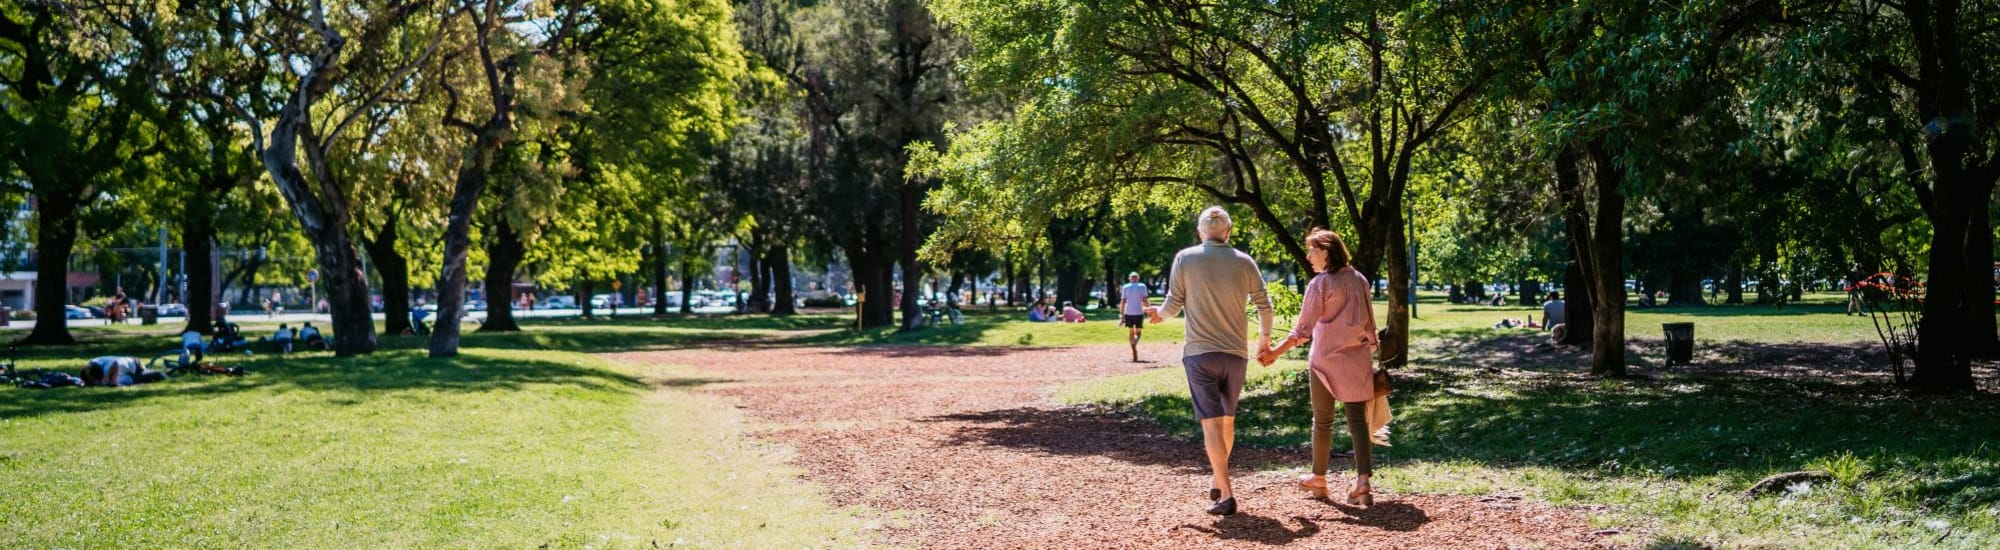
1505,403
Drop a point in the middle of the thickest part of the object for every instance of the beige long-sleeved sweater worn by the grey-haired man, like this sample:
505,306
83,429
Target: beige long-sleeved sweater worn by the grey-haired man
1211,283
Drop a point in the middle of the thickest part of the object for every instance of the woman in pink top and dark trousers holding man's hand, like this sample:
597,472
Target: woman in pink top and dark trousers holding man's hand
1339,321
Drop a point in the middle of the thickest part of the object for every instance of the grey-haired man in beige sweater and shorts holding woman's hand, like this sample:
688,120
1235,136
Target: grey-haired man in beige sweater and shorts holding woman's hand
1211,281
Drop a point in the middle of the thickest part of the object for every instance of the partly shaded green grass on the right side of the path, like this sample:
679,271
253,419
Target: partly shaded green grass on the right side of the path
1671,453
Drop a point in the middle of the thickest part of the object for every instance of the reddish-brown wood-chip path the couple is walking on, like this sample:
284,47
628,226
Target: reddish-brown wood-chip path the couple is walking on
961,449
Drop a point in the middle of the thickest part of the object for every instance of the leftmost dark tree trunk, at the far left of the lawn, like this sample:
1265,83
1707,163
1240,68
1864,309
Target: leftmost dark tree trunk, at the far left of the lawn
55,241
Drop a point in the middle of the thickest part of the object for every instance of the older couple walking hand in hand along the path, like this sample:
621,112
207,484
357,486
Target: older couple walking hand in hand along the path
1211,283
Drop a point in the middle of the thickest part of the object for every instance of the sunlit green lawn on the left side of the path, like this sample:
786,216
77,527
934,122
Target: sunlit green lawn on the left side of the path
497,449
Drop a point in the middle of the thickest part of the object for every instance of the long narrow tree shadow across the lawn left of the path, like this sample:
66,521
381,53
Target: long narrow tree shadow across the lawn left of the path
345,379
